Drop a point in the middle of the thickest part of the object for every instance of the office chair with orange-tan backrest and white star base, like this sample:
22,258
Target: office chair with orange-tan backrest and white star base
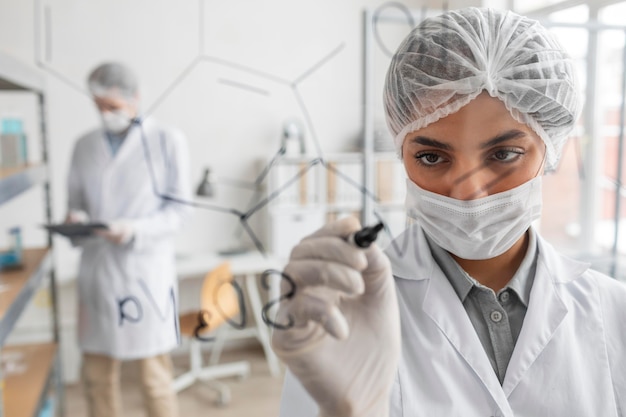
219,302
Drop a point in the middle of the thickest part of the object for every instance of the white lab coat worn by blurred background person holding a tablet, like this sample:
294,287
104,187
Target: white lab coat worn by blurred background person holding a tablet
128,305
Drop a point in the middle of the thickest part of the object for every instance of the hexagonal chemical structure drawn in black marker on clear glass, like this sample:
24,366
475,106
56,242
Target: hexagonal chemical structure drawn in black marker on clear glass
243,216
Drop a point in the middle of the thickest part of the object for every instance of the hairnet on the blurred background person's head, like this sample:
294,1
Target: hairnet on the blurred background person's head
113,79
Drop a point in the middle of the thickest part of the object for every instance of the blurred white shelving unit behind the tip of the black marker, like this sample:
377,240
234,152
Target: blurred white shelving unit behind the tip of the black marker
304,197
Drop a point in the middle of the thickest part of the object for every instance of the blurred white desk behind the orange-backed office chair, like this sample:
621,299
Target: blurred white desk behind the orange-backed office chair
248,265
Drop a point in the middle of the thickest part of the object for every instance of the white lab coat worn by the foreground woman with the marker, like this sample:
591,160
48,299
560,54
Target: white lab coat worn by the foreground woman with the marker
569,360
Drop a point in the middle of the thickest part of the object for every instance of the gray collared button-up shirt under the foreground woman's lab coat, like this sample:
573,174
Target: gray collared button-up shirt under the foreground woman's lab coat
497,318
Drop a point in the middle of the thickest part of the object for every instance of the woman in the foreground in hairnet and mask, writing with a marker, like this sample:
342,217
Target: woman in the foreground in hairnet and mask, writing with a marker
482,316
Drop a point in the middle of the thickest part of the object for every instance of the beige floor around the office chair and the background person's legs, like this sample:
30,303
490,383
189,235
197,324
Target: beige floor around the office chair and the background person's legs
256,395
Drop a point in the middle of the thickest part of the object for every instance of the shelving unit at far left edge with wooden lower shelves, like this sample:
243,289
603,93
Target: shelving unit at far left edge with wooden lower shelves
33,381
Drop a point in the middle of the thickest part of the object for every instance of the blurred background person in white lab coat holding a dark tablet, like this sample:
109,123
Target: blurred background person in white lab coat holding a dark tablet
127,280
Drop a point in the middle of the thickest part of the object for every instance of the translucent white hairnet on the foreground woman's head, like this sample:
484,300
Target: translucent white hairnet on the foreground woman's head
448,60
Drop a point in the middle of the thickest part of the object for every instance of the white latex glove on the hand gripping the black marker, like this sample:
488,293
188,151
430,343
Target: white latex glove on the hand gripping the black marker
344,346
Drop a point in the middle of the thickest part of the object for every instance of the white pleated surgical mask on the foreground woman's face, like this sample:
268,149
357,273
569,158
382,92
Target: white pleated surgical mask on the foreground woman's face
476,229
